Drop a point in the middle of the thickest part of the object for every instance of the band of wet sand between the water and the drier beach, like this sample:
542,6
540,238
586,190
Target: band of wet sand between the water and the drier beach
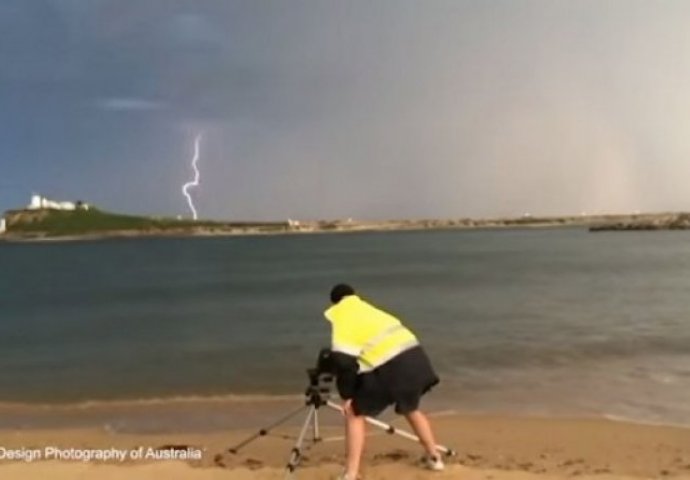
199,414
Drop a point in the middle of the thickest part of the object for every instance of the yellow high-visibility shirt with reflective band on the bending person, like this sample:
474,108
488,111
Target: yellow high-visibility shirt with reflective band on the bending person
368,333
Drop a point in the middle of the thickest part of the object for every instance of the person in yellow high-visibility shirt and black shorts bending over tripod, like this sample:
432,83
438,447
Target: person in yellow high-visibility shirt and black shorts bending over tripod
379,362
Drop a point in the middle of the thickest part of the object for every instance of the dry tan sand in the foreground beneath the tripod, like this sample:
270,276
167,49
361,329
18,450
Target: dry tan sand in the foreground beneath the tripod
489,447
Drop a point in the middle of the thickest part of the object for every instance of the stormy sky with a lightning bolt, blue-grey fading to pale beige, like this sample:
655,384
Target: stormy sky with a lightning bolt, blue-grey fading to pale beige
365,109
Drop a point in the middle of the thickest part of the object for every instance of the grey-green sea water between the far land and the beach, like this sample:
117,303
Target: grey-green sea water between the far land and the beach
533,321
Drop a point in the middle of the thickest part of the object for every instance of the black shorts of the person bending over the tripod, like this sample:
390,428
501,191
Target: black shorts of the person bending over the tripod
402,382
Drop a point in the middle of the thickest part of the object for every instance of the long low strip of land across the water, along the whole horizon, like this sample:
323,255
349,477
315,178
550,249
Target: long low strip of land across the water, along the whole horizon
95,223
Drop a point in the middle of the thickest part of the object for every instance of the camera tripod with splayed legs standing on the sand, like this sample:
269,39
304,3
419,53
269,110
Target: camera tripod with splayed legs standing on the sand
316,396
